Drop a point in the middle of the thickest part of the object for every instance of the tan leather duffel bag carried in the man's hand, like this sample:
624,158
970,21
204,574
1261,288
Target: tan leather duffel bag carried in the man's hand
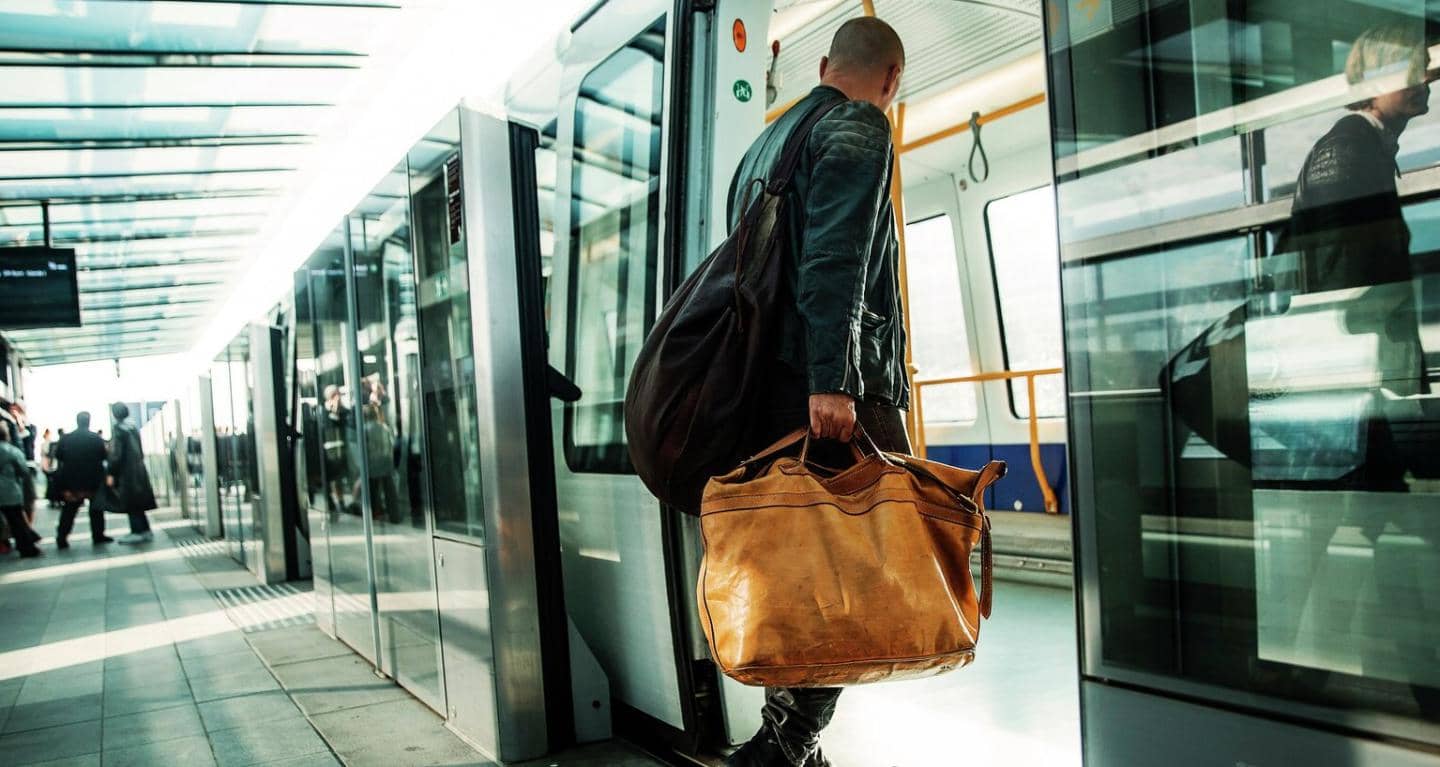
816,578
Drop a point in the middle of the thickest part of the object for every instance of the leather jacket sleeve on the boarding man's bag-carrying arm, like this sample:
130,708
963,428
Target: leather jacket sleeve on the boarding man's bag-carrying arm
850,165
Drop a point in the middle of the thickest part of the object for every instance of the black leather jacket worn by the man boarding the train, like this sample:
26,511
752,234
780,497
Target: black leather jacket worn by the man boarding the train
843,332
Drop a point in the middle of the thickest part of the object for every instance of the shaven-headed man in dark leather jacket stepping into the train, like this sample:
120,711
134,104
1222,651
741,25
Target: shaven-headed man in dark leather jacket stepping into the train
842,346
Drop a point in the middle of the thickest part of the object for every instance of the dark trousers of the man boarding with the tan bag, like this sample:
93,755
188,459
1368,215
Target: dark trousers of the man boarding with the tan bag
796,716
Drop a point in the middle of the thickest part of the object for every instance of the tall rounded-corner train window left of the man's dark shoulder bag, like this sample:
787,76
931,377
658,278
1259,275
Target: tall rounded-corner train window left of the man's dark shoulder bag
614,244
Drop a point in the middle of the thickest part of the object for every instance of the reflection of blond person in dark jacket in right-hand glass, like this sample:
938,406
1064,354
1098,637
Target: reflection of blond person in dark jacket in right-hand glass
1347,231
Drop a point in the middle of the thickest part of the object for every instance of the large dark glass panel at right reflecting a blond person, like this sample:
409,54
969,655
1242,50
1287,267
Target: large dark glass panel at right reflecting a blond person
1255,412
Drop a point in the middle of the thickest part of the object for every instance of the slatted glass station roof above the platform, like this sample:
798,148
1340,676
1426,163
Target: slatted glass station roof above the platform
163,135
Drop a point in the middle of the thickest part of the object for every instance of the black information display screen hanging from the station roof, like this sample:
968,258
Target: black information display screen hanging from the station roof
38,289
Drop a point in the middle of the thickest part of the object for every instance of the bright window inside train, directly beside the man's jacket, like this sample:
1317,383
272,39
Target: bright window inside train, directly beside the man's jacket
940,337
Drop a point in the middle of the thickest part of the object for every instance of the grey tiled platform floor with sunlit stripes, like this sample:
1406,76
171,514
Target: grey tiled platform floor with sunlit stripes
123,657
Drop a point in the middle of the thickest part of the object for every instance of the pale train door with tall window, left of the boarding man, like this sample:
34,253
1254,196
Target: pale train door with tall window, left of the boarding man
624,572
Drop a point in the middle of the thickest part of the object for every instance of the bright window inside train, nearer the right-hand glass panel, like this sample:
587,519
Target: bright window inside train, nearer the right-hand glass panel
1026,261
